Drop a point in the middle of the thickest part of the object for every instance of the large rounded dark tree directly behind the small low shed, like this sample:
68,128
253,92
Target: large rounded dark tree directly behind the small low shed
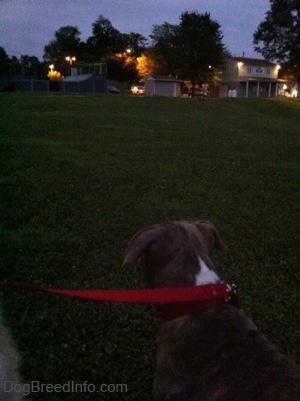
191,48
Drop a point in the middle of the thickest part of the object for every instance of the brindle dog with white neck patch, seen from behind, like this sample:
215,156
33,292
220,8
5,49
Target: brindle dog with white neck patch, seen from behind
216,354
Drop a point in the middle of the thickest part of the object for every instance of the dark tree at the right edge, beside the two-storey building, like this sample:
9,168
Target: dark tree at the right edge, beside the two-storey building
277,38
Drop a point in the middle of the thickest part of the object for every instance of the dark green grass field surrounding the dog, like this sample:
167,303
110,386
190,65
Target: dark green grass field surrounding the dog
81,174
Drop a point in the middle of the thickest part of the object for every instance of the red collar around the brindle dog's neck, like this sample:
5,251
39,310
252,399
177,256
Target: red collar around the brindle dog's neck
171,311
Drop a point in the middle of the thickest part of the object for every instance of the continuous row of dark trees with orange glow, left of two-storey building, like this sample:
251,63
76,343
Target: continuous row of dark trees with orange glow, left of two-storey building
188,50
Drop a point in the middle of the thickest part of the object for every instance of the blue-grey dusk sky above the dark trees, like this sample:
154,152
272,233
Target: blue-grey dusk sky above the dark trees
26,26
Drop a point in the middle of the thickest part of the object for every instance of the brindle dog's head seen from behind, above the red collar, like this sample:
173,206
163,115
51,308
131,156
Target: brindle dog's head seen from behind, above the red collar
175,254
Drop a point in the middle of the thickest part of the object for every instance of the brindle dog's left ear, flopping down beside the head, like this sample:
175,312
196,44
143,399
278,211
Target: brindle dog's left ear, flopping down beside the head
139,244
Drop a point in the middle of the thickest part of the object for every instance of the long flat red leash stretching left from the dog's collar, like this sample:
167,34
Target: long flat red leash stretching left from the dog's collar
219,291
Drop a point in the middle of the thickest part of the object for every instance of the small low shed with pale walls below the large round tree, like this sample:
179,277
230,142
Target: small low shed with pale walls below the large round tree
163,85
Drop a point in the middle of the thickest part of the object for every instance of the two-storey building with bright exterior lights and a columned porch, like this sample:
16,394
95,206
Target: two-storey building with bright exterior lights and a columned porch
249,77
